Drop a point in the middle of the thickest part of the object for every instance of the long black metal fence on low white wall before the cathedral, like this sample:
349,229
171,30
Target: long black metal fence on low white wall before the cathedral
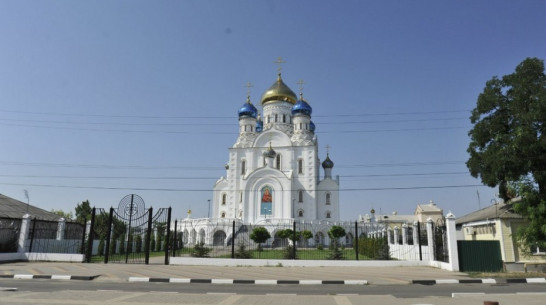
229,238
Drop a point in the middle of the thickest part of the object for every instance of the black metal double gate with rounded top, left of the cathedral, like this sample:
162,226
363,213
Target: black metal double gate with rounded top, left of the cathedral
130,234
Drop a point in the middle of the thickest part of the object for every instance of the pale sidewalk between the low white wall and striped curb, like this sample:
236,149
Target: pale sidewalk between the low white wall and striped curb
157,272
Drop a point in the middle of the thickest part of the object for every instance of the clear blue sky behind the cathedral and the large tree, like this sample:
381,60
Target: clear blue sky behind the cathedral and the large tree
100,99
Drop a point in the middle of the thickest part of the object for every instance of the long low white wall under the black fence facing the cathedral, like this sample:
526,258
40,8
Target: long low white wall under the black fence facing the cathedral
194,261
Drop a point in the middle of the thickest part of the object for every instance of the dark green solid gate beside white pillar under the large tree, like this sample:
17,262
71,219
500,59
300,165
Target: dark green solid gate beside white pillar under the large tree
479,255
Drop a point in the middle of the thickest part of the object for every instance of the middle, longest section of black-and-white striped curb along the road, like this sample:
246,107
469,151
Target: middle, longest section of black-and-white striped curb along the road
251,282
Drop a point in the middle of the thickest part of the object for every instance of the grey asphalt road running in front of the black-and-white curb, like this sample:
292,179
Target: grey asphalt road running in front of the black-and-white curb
398,291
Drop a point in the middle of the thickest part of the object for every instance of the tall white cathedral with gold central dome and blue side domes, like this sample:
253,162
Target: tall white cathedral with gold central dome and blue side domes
273,171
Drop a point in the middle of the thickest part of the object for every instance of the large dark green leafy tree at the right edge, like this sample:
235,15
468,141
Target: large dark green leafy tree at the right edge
508,143
